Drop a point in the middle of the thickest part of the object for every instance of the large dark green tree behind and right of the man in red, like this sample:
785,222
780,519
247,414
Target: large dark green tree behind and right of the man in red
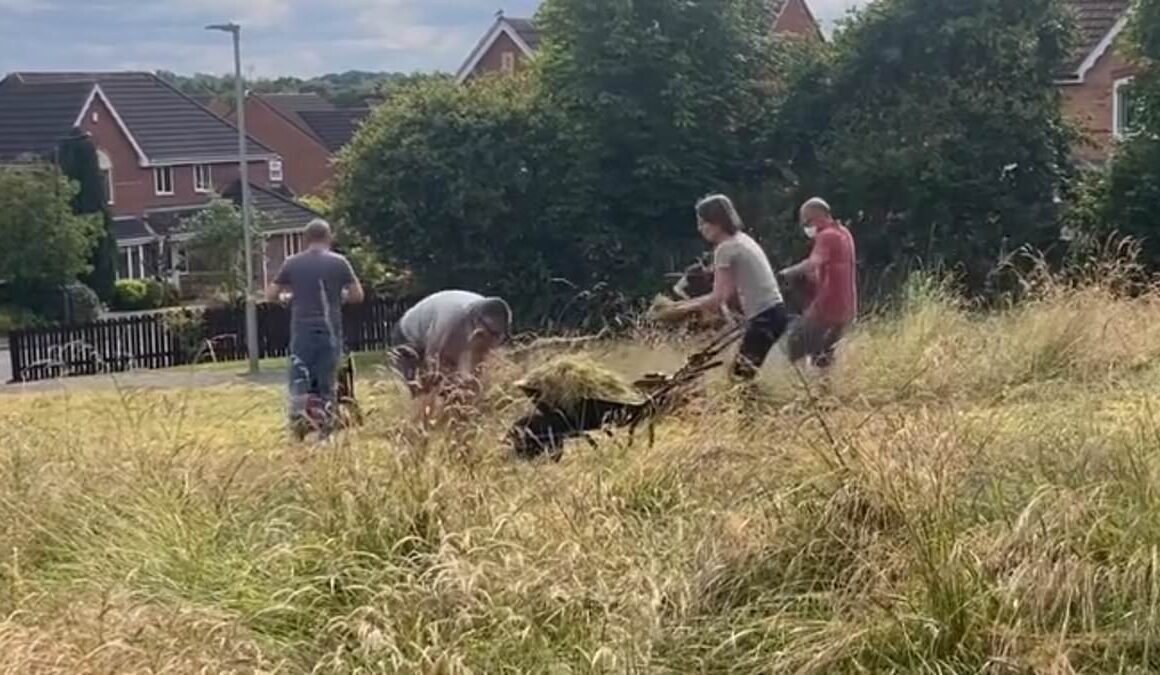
936,127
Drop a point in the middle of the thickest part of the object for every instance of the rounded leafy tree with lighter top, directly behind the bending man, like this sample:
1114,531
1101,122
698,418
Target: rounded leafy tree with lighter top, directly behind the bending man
466,187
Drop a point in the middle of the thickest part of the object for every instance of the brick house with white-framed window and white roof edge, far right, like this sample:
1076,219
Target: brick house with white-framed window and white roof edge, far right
1096,84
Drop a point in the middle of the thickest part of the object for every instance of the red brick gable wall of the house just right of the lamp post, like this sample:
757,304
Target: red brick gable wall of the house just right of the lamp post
307,164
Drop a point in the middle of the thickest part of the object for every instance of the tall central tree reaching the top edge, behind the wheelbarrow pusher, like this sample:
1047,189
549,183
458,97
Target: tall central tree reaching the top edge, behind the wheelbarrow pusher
666,101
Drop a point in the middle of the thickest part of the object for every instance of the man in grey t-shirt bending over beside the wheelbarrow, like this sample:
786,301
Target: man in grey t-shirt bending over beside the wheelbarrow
446,335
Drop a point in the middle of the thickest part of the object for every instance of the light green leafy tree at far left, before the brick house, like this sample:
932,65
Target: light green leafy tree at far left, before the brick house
47,245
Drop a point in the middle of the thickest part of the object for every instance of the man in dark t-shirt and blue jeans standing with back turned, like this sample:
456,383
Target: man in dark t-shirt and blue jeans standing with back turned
318,281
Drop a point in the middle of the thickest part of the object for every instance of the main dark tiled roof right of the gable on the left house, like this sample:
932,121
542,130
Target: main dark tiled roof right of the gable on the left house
168,126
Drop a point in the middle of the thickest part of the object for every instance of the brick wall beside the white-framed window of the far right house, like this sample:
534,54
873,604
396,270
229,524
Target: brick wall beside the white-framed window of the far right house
1091,104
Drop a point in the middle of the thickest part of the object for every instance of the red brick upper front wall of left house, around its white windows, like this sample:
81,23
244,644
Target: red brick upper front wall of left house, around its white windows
133,186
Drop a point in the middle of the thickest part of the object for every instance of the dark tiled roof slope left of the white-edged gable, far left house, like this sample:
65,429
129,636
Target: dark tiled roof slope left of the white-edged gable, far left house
35,119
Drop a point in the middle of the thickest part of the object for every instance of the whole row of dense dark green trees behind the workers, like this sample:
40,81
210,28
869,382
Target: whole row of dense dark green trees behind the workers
933,126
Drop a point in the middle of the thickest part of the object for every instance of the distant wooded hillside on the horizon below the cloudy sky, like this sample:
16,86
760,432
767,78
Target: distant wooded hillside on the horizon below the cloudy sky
351,88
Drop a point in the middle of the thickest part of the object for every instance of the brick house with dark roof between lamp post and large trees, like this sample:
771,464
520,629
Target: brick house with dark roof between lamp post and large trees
307,130
